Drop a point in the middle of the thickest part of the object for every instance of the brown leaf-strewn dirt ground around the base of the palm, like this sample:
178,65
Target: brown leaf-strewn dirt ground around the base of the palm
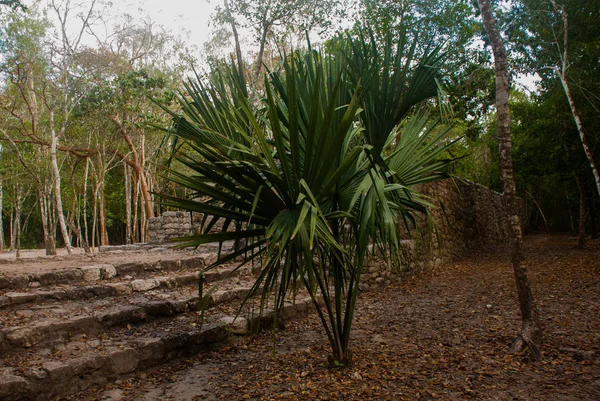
442,335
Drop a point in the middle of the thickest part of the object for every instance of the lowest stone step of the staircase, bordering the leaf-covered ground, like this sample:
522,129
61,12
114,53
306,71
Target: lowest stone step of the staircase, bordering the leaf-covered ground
76,365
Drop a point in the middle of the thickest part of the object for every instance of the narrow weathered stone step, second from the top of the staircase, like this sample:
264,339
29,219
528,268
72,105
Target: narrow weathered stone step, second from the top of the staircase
115,286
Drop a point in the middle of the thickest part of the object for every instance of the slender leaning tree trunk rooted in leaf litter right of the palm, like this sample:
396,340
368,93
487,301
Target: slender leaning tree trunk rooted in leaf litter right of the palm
531,332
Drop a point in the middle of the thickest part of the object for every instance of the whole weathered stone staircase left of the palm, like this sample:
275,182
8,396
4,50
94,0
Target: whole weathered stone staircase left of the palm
64,331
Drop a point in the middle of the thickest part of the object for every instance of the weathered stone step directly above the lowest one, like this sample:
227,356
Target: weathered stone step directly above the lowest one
56,322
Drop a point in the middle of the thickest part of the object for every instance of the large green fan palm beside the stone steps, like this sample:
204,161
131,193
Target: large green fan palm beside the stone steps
316,177
